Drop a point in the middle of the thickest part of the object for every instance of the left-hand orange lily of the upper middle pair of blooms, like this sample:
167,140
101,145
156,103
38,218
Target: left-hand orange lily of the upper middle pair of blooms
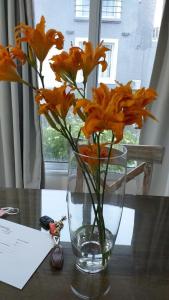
66,65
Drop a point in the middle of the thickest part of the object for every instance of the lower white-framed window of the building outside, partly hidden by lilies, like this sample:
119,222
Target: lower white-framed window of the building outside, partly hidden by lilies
109,75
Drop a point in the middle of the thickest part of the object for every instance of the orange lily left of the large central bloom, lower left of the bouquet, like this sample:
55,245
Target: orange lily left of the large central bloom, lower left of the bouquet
57,100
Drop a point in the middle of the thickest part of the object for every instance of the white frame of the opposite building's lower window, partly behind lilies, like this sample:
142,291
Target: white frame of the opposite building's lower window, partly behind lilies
113,61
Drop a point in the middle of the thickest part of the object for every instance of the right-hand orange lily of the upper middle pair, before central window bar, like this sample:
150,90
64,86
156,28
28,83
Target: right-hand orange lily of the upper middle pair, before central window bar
93,57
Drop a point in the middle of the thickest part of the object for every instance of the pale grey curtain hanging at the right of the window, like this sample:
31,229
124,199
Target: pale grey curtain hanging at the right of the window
157,133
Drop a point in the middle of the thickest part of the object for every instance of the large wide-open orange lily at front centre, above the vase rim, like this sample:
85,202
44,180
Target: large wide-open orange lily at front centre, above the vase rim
101,113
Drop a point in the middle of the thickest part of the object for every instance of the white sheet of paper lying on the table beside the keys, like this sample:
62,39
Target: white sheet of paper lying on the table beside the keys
22,249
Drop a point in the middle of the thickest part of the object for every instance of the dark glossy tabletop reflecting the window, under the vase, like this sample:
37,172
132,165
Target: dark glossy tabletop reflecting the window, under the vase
139,266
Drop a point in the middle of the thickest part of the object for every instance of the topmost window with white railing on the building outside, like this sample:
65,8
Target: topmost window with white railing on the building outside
111,9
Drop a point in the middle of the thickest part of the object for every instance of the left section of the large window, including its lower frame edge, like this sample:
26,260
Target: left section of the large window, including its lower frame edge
55,148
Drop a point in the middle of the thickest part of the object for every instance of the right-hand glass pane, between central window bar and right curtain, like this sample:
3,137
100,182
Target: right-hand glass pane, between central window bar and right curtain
136,36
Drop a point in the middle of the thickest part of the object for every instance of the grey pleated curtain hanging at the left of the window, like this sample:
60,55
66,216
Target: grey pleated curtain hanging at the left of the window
20,135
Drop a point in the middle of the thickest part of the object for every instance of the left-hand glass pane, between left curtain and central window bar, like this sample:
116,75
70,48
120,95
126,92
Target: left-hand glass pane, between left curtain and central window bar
60,15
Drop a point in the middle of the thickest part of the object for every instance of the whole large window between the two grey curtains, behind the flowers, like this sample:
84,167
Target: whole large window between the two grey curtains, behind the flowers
131,55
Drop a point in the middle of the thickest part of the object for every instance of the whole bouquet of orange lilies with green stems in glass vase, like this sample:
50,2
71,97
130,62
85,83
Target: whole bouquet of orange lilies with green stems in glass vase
108,109
